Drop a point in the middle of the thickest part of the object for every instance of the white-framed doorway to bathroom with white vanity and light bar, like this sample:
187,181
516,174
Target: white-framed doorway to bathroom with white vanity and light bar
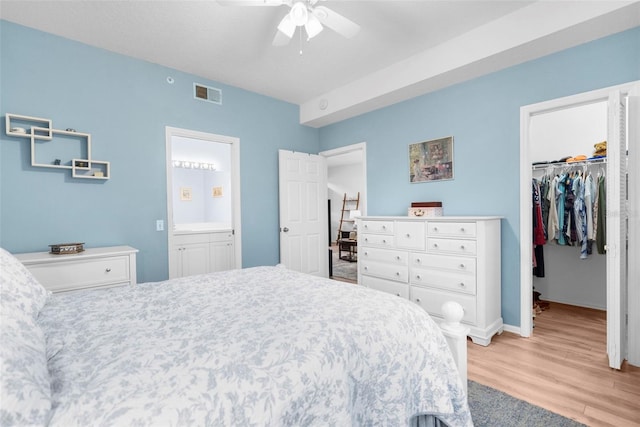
203,202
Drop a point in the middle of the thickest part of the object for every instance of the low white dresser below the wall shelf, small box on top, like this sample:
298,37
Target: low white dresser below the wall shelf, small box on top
92,268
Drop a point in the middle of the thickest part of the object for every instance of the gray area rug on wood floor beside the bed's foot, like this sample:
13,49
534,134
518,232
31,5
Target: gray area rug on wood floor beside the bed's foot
491,407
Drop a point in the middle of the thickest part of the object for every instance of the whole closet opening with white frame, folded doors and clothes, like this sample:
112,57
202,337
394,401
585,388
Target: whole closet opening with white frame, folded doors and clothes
594,135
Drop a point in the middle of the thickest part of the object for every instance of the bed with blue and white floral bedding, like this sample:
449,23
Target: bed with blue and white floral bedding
262,346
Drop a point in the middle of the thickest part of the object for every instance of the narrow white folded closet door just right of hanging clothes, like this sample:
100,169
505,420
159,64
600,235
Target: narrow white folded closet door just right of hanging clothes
616,224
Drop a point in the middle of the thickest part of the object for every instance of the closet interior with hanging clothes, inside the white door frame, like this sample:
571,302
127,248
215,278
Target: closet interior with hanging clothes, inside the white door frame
568,152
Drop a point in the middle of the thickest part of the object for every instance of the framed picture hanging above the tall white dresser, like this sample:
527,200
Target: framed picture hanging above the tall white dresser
431,160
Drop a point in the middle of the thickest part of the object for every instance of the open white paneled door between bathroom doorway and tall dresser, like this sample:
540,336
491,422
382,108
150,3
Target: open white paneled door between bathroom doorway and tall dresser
303,214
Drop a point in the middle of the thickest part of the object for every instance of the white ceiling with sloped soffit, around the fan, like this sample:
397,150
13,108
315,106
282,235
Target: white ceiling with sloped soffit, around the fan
404,48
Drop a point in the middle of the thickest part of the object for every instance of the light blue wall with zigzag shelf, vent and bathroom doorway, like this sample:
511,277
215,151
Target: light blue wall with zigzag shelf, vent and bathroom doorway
125,105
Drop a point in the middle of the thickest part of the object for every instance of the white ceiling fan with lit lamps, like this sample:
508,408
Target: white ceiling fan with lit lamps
303,13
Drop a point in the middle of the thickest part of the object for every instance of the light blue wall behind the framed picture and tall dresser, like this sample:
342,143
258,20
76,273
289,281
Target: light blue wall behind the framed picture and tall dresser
483,116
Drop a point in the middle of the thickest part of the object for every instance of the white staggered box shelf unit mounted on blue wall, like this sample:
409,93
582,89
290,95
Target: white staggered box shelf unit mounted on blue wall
72,145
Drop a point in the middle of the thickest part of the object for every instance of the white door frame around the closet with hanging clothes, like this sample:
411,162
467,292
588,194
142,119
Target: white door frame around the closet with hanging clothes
526,279
